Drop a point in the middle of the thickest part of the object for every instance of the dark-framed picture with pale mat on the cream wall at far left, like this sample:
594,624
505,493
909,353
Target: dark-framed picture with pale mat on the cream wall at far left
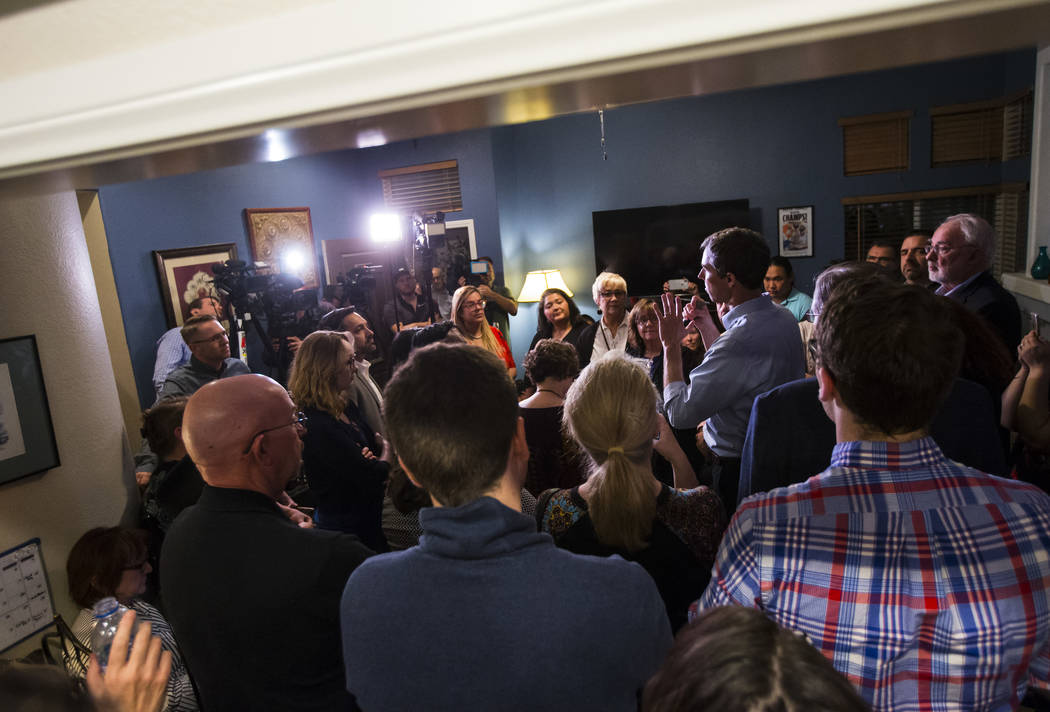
27,435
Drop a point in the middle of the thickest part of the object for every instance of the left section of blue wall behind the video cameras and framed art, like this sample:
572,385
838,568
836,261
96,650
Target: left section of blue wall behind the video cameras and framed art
341,189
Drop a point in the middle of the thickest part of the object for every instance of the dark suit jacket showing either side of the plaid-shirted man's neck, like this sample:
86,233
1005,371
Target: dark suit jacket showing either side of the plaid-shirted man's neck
790,437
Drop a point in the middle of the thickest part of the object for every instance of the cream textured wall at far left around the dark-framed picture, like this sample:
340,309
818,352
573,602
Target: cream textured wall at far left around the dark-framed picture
48,289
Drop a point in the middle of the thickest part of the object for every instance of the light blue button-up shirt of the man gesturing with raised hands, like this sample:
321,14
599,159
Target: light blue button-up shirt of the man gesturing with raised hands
761,350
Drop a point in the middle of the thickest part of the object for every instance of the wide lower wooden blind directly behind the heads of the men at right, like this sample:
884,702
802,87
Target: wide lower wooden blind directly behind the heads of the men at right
893,217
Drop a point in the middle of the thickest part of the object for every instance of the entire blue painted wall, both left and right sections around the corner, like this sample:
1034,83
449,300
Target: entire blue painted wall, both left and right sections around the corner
532,189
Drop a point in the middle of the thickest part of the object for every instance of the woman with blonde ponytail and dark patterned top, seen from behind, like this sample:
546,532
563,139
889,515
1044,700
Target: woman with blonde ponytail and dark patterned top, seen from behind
622,508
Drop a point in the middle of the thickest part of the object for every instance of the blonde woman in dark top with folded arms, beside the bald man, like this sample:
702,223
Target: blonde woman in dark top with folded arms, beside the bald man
339,448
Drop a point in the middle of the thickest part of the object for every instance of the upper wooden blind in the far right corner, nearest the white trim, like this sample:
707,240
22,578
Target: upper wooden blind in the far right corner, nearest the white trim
994,131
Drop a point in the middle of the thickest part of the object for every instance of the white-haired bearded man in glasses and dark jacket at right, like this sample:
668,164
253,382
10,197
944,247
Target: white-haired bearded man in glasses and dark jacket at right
960,256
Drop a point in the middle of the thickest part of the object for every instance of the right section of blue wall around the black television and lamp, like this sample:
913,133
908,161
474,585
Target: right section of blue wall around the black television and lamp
779,148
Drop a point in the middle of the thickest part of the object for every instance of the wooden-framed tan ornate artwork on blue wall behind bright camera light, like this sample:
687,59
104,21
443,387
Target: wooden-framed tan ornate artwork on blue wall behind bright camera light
284,239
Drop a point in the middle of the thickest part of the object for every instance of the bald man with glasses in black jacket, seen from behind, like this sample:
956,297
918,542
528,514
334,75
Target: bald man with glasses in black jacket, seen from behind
254,599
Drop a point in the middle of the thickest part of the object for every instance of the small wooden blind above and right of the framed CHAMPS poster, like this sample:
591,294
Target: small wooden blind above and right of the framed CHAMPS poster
876,143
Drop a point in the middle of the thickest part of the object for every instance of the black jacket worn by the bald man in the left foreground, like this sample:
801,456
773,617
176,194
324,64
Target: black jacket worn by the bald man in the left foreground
255,603
